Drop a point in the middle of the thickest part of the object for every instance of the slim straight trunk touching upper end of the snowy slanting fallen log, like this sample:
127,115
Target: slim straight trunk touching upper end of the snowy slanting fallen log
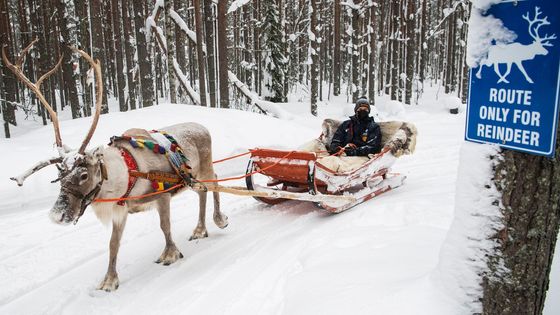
223,53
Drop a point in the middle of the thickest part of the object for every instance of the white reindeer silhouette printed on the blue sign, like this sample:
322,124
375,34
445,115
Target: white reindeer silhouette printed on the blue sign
516,53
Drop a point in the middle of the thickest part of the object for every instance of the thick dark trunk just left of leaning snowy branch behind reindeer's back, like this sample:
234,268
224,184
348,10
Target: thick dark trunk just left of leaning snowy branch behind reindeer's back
145,69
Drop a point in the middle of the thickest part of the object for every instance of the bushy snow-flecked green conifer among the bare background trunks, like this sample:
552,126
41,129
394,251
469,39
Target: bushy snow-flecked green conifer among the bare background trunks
273,55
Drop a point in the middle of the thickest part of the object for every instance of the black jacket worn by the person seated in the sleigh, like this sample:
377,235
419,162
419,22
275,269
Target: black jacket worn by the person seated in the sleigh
364,134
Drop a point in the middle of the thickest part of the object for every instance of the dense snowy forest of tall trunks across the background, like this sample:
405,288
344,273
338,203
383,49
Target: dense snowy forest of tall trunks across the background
229,54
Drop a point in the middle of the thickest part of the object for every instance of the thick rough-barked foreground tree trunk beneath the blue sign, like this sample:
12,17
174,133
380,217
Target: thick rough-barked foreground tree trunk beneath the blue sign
530,187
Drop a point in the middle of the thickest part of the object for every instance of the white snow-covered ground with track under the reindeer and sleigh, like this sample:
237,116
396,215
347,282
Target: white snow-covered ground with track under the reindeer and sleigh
380,257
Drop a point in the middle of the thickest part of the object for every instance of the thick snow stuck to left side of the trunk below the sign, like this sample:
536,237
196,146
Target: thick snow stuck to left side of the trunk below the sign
477,217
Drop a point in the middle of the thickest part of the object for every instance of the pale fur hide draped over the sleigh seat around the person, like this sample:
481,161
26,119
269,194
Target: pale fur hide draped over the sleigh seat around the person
399,136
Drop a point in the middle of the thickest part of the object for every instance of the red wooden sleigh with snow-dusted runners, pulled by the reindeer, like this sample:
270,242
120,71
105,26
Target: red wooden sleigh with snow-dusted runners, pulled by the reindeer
274,176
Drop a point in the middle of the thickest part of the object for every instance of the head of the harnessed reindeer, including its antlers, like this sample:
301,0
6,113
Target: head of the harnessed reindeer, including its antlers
81,174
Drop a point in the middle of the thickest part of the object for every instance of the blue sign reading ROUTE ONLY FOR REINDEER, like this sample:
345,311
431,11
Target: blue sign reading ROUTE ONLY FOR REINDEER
514,93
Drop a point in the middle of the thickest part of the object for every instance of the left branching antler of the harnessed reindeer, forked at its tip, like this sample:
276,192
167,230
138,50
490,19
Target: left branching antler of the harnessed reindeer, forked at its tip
36,87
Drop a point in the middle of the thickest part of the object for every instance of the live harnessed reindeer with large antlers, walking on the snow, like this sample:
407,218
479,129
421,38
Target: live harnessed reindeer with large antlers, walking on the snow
101,173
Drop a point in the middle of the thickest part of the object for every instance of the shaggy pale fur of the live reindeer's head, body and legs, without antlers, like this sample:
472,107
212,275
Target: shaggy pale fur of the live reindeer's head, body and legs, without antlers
197,146
